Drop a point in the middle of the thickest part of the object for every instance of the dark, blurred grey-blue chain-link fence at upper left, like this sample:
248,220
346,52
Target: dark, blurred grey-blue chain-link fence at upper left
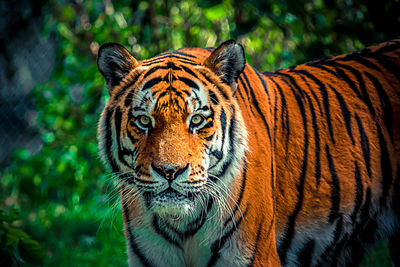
26,59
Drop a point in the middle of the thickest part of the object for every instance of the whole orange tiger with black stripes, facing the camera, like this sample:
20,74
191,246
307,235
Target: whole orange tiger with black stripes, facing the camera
219,164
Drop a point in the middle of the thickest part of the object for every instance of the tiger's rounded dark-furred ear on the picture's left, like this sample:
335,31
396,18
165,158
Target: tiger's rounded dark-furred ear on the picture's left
114,63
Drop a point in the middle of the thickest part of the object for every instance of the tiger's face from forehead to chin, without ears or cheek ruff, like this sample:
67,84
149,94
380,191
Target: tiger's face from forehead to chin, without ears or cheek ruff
173,123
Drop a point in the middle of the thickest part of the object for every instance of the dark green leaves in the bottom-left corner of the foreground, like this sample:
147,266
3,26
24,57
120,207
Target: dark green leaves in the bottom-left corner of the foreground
16,246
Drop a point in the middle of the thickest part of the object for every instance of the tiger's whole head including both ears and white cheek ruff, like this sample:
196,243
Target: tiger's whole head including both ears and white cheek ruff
172,131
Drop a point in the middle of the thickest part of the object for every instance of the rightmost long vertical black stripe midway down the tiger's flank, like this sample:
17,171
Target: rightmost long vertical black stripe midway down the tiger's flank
386,168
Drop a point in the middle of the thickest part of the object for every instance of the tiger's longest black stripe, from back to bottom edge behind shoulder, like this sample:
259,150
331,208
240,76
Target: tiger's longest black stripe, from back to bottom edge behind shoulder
290,226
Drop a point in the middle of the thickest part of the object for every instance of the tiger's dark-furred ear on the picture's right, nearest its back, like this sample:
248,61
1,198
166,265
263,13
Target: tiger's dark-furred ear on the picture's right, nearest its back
227,61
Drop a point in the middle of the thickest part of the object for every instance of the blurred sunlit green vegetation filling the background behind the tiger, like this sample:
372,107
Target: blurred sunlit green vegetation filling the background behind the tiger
66,199
